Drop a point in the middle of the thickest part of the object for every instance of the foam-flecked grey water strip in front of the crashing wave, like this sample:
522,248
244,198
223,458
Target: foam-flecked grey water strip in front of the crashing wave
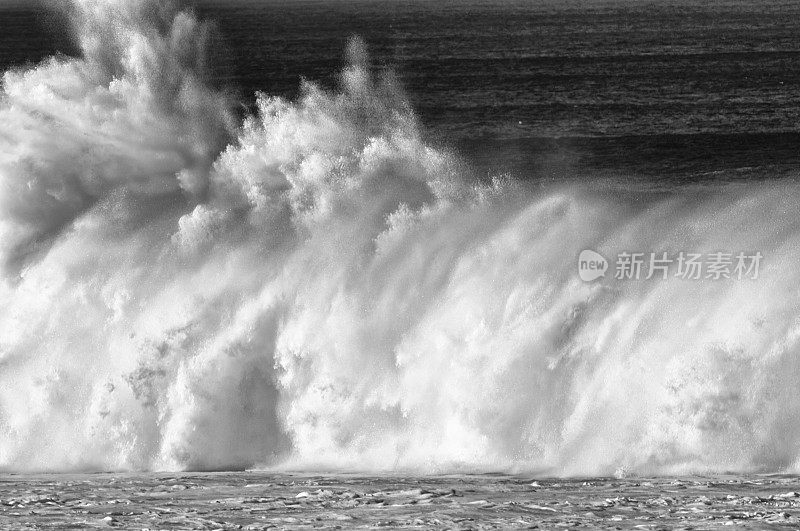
268,501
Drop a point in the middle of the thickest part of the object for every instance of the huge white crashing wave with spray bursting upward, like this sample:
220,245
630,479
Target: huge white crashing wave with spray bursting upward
317,287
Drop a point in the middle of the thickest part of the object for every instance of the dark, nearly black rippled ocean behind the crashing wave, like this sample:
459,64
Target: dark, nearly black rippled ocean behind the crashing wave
688,90
